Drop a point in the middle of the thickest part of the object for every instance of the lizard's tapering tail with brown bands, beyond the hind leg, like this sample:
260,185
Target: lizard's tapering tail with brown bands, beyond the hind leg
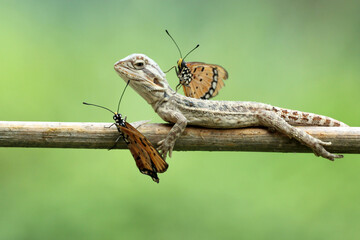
299,118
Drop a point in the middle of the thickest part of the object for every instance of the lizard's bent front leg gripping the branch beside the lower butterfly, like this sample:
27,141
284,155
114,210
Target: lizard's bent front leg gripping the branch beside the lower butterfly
166,145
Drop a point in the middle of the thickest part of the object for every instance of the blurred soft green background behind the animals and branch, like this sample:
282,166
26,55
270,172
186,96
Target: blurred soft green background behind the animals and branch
303,55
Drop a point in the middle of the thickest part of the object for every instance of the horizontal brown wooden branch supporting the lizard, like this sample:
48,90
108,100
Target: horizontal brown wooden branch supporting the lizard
96,135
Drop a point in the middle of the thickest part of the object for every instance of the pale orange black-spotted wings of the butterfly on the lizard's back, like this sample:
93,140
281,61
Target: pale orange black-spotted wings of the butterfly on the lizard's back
207,80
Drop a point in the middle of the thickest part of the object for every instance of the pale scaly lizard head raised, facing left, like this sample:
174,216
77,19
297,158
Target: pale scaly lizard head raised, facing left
143,73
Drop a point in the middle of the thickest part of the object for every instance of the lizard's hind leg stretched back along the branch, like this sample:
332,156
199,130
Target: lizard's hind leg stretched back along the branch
274,121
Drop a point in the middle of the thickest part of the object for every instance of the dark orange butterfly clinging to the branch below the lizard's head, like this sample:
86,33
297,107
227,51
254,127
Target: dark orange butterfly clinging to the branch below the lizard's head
147,158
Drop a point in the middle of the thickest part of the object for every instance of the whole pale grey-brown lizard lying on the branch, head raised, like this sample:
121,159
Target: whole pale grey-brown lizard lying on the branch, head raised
149,81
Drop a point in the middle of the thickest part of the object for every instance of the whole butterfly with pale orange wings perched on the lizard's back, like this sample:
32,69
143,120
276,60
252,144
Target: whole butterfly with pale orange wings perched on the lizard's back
198,79
